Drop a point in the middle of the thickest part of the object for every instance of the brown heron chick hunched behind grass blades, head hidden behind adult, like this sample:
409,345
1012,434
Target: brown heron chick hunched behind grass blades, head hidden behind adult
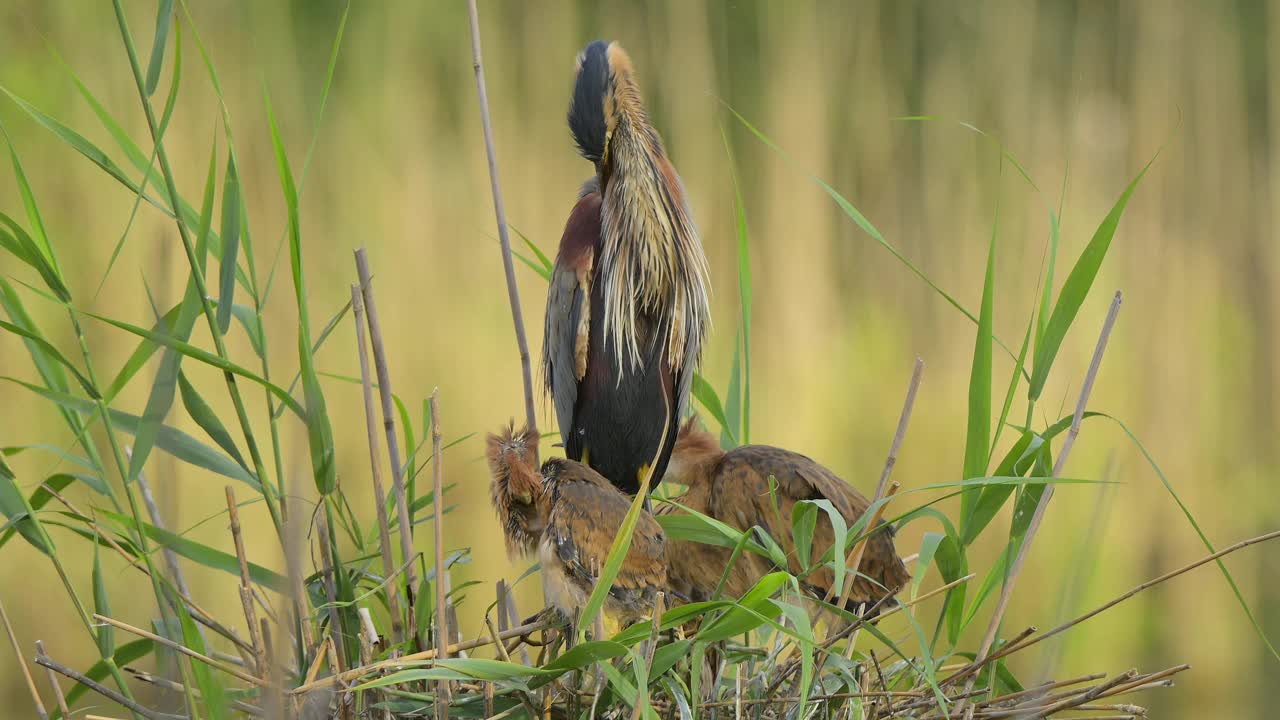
734,489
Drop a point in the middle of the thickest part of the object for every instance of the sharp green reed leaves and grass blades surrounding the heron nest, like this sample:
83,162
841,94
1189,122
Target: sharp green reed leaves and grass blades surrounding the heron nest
755,636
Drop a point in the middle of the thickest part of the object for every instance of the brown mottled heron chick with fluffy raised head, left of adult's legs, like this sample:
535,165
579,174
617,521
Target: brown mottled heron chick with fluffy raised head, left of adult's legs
570,514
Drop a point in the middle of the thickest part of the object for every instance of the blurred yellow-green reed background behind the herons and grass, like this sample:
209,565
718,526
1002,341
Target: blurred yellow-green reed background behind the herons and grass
1081,94
